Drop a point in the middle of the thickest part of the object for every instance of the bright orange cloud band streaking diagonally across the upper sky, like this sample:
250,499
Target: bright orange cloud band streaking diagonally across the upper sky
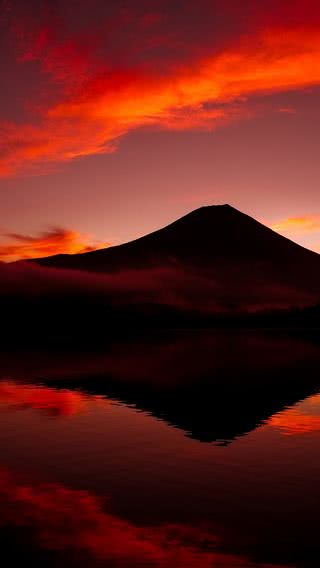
96,108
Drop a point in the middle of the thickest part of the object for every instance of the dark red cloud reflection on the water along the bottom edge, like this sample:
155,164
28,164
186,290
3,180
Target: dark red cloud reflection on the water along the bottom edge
74,525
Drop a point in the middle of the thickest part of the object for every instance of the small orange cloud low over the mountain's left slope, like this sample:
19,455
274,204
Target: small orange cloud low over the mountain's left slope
56,241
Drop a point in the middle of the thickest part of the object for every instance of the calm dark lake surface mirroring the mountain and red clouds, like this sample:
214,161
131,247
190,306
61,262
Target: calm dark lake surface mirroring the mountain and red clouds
187,450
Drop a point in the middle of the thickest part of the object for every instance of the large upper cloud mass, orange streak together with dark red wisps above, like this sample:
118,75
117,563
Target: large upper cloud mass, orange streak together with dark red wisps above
100,96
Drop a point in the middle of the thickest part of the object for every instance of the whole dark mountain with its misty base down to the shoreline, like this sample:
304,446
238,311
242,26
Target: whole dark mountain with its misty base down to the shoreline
214,267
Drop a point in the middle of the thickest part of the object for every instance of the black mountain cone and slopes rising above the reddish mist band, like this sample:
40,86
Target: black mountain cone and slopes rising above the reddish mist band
217,233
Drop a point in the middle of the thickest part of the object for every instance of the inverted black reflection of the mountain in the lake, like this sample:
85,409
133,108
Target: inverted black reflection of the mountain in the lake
214,386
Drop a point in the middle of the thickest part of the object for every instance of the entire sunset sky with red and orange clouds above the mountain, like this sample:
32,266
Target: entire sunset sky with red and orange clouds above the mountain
118,117
